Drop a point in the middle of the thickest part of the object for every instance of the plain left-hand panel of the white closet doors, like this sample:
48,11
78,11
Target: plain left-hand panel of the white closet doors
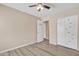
60,32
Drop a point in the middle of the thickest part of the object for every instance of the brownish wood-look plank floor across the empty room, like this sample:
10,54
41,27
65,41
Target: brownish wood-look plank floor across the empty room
41,49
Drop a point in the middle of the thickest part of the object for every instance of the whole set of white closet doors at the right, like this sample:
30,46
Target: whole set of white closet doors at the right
67,32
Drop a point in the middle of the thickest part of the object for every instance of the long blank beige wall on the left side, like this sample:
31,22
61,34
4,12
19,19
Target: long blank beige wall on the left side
16,28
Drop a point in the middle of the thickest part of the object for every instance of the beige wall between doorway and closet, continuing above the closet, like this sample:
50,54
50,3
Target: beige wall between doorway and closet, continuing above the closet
53,23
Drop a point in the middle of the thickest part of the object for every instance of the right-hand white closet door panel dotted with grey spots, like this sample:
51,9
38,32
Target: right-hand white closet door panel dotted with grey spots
70,32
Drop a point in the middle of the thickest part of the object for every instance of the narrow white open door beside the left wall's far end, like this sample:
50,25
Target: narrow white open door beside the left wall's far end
40,31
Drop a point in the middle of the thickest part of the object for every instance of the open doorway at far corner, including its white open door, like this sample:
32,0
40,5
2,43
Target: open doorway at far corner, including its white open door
42,31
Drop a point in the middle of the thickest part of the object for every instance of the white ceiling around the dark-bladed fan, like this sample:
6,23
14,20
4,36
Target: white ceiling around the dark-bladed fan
55,8
